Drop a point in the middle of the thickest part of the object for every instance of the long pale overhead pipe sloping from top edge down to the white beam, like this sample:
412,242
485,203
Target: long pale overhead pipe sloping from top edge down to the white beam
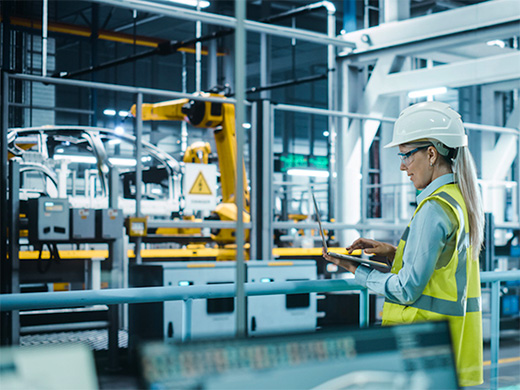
216,19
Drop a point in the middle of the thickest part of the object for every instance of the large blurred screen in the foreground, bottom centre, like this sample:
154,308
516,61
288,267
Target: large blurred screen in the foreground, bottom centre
407,356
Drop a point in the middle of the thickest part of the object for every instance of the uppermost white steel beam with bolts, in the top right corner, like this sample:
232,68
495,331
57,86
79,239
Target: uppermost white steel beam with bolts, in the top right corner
476,23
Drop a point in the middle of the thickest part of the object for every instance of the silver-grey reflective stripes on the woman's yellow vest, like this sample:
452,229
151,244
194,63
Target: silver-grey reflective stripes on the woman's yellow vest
444,306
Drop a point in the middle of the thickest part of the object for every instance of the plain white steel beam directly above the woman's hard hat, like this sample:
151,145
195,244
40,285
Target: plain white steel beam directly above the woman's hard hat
460,74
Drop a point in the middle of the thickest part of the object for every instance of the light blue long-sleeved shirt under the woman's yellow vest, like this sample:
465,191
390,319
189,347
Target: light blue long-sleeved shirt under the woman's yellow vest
429,245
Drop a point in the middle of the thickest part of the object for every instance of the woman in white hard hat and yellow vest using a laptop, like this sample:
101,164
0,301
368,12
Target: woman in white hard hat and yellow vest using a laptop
435,271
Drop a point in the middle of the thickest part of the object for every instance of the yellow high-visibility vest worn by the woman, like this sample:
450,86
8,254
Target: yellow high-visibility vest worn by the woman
452,293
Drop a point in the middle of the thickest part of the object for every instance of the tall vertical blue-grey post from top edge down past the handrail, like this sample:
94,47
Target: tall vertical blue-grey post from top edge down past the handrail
240,87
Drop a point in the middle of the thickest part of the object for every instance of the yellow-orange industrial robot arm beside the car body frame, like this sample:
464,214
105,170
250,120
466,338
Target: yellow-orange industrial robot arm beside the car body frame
220,117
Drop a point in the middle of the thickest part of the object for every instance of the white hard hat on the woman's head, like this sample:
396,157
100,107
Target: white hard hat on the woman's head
429,120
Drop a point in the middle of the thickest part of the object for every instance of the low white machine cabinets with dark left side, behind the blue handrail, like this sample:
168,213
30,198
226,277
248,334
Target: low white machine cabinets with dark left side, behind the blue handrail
215,317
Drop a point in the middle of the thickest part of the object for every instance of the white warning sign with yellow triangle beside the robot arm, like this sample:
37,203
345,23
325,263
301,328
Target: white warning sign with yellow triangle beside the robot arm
200,187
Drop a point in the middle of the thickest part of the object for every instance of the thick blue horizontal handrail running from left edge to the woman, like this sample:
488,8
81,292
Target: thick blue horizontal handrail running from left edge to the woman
28,301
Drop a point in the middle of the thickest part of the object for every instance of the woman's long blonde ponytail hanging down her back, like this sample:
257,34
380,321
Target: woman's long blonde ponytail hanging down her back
465,175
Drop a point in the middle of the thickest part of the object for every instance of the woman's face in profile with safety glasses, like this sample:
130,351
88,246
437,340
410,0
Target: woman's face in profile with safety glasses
417,165
